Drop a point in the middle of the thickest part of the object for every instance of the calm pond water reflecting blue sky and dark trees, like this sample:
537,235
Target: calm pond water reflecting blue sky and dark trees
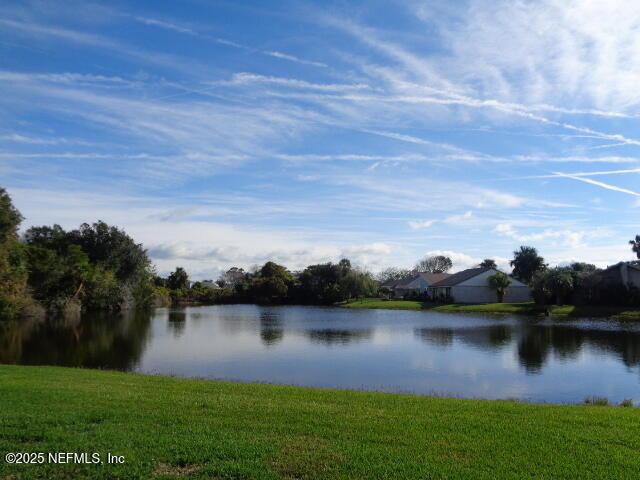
463,355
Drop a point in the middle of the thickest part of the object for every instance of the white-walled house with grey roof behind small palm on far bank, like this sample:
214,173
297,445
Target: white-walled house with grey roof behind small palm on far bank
472,286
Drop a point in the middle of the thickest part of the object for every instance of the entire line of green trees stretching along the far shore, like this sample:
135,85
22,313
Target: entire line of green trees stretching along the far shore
99,267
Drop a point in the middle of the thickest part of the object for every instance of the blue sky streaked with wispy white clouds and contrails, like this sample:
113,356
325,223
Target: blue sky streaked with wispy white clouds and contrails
230,133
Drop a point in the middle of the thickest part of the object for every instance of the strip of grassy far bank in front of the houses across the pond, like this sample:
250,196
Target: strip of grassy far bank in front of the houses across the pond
526,308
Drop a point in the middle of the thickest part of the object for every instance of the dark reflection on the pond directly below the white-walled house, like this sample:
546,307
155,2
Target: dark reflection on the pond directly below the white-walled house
486,338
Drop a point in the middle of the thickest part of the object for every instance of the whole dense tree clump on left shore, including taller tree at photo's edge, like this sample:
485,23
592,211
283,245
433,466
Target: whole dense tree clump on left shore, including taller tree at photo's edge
53,271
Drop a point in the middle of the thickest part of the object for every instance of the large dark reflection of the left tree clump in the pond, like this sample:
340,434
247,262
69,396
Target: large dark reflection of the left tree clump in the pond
97,341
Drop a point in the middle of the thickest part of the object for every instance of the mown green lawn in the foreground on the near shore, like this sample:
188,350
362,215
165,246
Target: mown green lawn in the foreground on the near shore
176,428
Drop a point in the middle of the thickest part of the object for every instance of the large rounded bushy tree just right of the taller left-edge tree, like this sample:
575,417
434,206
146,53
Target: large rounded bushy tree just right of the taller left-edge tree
97,265
